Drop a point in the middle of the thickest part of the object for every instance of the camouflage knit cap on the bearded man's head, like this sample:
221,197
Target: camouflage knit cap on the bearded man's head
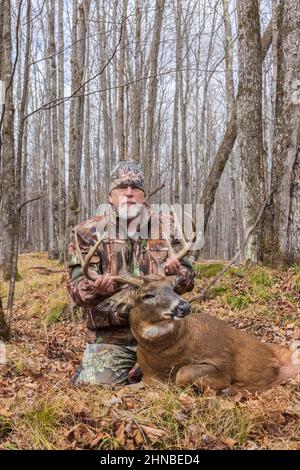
127,173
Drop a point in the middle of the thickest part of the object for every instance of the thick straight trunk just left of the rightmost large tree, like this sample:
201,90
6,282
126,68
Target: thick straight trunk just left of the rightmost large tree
249,113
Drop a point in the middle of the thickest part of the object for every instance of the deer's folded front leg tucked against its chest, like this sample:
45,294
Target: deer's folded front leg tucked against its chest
203,376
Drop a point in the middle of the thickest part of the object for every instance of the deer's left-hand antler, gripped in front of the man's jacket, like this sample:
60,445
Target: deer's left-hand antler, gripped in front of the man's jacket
92,275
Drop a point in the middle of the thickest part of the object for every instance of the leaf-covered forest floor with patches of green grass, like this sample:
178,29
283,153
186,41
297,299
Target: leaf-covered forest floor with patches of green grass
40,409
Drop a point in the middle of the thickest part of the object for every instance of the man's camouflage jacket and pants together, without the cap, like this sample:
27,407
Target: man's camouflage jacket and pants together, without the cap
110,352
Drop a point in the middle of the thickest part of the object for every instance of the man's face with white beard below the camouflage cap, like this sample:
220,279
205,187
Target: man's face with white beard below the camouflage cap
128,201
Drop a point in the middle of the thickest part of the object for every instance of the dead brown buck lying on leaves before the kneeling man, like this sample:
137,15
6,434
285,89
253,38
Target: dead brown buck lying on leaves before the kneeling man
191,348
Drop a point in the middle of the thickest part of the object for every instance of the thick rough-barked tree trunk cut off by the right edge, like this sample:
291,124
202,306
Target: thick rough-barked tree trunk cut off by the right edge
282,217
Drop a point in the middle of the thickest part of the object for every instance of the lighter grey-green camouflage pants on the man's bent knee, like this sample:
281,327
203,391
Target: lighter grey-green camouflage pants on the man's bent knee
106,364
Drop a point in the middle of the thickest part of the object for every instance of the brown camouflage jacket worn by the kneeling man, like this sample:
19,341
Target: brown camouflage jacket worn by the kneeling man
99,313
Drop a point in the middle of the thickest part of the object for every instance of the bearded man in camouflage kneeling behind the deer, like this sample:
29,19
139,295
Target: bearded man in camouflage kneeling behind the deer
134,237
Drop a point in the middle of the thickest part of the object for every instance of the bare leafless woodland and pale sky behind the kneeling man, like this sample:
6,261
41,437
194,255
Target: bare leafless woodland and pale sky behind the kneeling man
204,93
